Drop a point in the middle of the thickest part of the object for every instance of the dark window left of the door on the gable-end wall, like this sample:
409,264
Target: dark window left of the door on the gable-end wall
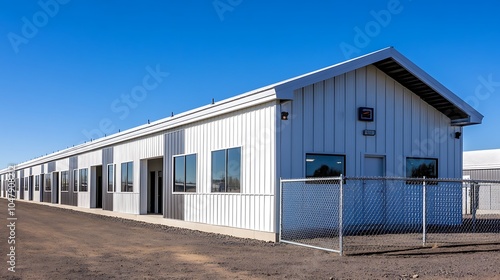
322,165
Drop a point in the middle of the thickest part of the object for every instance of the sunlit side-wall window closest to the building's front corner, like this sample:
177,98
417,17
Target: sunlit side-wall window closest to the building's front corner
226,170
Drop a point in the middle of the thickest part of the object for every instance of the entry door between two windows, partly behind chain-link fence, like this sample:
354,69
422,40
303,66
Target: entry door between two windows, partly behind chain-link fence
374,190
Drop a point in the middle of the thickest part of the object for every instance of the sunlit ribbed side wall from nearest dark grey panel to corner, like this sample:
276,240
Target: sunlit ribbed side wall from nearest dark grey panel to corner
252,129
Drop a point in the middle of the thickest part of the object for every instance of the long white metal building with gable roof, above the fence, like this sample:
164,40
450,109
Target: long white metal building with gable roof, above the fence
218,167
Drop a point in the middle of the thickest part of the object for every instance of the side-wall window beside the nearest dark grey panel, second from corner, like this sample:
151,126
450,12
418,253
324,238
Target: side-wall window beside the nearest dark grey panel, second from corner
185,173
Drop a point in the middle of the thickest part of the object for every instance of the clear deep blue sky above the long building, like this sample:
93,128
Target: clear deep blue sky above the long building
65,67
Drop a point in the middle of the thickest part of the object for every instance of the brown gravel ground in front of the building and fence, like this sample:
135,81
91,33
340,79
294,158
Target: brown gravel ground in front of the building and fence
54,243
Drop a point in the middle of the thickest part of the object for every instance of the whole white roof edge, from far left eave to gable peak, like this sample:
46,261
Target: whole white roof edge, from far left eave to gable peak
387,60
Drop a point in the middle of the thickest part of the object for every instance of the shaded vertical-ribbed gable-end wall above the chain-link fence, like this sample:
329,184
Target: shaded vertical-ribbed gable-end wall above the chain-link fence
323,119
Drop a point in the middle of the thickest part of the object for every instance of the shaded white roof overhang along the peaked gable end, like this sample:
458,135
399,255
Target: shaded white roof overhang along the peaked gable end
402,70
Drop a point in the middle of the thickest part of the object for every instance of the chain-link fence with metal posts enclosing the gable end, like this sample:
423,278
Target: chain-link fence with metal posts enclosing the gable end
361,215
